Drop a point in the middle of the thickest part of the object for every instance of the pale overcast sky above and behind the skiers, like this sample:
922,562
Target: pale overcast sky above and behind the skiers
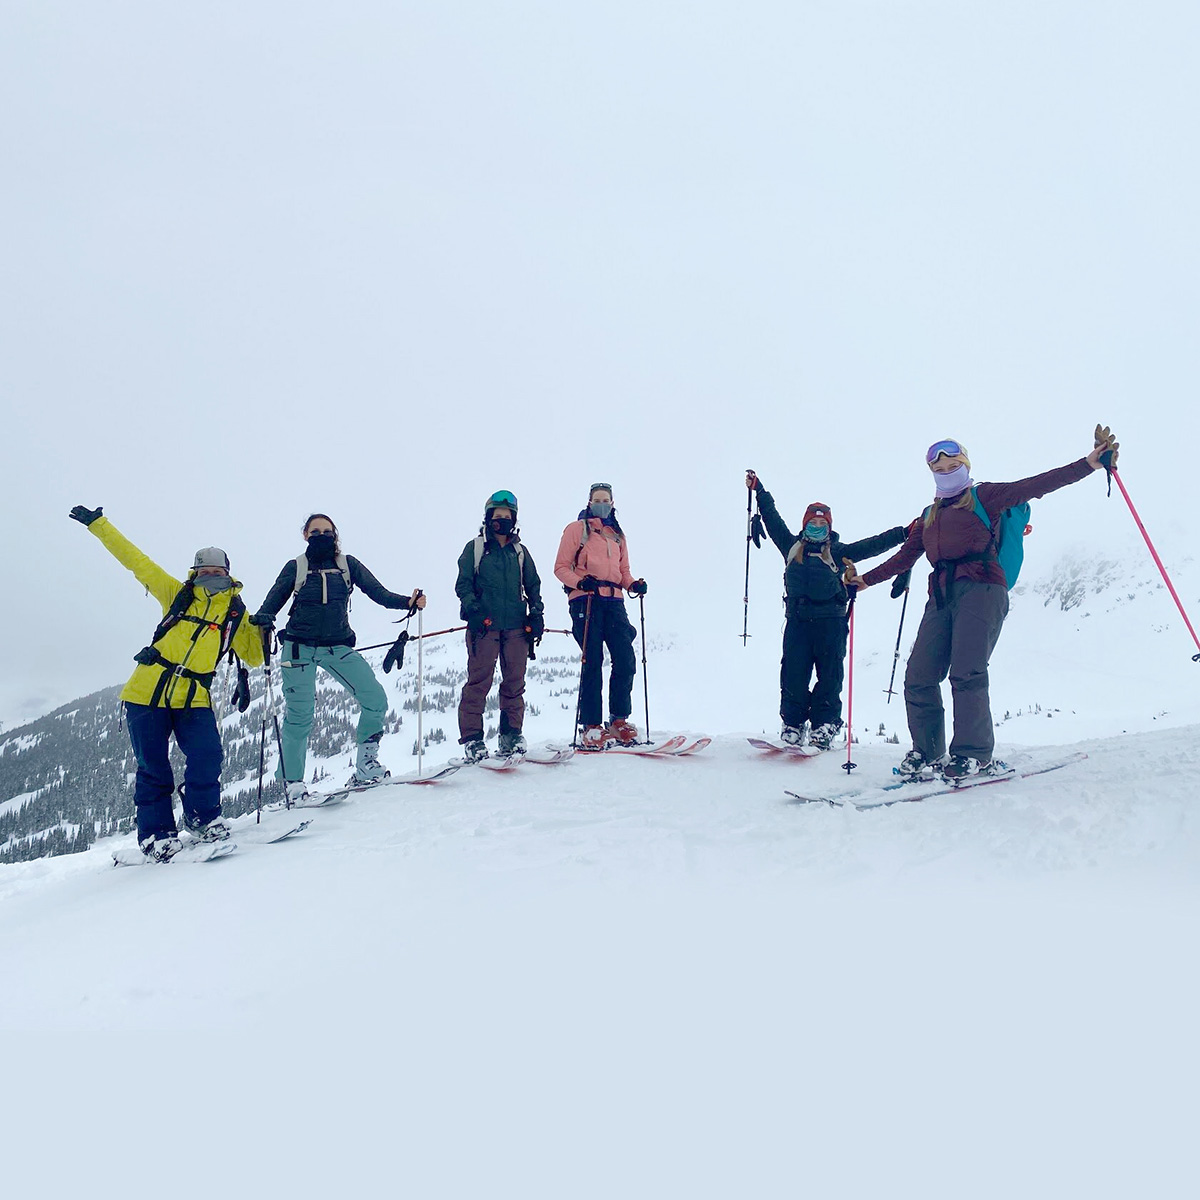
382,259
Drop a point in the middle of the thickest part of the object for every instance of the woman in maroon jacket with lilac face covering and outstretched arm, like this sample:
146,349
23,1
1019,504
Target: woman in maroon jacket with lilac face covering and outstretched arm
968,603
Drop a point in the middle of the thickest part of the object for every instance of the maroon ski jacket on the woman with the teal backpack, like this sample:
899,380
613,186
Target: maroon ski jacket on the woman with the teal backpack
957,533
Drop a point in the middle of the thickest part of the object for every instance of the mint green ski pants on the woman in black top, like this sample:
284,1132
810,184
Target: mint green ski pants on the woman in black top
298,674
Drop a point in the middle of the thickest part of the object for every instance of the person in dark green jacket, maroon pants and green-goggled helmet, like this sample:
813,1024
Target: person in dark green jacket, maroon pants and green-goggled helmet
501,595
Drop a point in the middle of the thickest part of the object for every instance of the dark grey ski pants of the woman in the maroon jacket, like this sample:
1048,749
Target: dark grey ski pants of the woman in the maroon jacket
956,640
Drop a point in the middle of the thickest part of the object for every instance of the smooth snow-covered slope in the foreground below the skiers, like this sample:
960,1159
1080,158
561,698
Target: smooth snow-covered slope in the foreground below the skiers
643,979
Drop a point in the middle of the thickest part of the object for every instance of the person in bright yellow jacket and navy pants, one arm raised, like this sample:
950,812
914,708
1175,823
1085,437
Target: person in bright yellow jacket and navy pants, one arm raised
169,692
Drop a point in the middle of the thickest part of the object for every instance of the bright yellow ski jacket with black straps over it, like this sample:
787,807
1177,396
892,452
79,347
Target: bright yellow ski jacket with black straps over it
193,644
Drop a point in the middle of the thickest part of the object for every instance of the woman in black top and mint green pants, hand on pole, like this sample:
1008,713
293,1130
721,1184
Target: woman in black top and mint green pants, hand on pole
319,635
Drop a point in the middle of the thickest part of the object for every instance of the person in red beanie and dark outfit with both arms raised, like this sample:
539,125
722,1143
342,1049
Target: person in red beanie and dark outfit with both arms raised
817,603
